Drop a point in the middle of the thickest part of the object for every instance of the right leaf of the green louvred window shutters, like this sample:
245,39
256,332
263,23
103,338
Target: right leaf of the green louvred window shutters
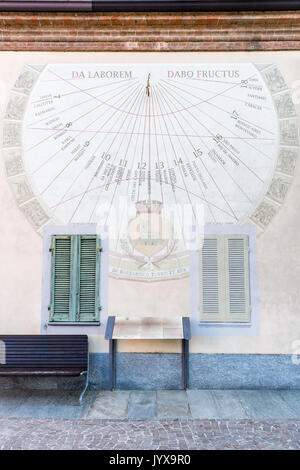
89,277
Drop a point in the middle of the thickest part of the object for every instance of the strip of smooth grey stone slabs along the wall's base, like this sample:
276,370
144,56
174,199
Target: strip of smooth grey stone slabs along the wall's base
160,404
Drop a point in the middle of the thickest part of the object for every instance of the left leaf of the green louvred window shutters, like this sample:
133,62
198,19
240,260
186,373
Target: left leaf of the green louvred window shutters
60,278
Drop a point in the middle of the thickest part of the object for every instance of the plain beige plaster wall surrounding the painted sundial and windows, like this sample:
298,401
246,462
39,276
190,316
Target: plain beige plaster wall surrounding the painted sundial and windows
278,247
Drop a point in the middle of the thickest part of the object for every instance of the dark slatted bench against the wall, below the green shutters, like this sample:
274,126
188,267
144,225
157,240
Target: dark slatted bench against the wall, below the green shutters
45,355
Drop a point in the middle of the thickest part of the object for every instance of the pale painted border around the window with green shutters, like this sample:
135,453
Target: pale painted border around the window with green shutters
67,327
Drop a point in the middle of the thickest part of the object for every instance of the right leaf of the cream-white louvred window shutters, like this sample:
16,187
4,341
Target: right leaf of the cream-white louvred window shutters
237,285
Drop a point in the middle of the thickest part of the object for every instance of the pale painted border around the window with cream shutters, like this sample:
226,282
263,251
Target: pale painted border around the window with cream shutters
201,328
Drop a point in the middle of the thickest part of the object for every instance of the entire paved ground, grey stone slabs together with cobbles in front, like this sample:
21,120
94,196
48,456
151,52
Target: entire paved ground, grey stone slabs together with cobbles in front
163,419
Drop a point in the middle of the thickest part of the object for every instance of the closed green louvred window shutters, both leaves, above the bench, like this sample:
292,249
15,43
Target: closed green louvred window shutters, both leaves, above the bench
75,278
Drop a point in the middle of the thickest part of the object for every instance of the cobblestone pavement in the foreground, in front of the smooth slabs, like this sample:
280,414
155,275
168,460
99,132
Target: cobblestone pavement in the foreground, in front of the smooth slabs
181,434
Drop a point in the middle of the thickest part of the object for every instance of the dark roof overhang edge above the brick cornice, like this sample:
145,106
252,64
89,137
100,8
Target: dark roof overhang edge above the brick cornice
148,5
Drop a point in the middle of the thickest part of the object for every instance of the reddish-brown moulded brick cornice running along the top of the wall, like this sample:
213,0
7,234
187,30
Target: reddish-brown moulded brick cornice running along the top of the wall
174,31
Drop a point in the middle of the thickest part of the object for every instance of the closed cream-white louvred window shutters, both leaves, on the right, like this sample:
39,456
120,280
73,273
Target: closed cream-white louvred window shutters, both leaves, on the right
224,279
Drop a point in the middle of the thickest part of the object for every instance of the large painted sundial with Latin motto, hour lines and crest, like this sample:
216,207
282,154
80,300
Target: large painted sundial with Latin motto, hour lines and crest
80,138
